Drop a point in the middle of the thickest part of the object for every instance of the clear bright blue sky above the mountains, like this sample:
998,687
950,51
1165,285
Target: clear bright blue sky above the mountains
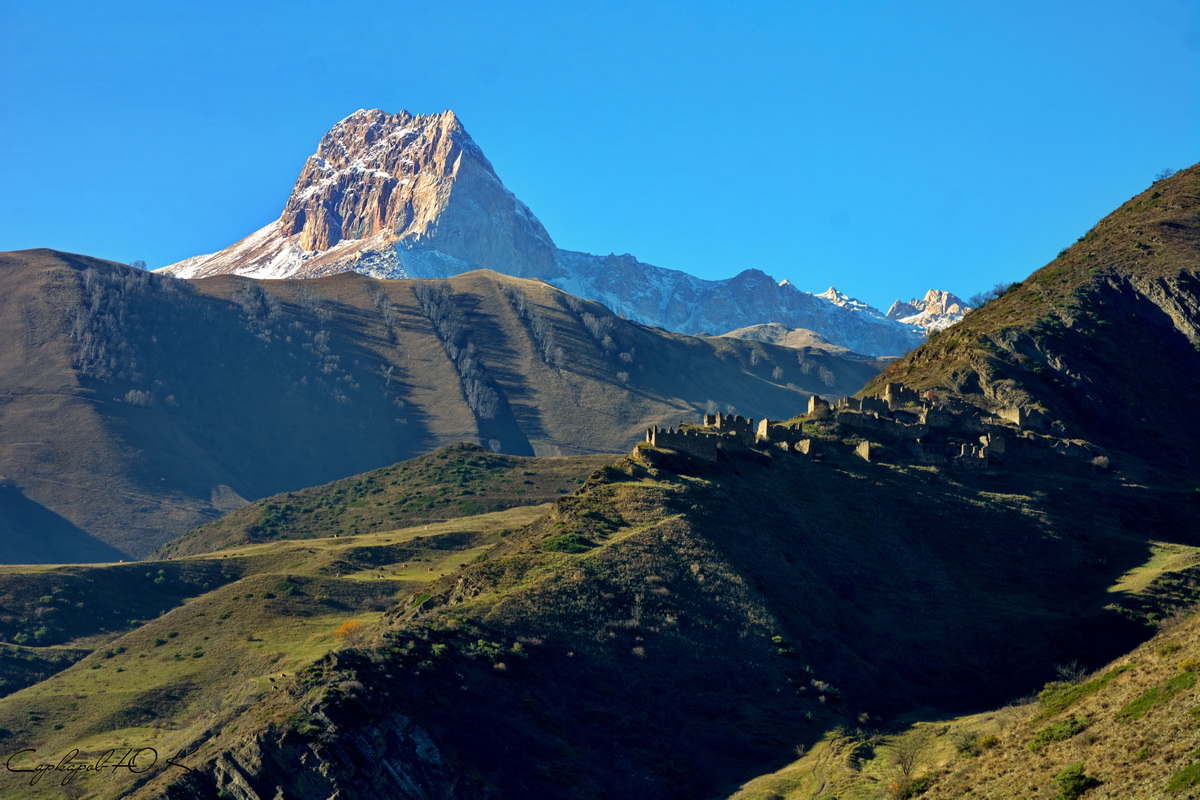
886,148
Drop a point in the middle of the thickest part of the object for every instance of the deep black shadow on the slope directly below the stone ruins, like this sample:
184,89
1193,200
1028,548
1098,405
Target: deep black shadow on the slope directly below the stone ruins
932,590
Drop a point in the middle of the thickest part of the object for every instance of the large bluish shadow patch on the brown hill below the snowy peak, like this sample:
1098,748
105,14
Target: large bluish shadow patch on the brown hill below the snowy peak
261,401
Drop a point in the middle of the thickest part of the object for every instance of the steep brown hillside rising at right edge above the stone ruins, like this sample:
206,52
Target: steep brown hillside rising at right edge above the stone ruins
1106,339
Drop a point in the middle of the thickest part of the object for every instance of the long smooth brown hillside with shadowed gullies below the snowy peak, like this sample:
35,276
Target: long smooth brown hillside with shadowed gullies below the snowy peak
137,407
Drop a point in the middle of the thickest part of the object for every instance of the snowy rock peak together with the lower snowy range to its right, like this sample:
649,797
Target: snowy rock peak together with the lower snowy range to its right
399,196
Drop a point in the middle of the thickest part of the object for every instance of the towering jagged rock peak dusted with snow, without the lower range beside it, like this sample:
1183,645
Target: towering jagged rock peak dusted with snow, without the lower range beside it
385,182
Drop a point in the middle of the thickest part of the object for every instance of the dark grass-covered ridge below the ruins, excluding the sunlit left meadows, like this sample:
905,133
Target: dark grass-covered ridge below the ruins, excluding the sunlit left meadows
700,600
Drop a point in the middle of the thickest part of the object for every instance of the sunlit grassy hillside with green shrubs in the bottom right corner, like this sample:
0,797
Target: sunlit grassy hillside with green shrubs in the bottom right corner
1130,730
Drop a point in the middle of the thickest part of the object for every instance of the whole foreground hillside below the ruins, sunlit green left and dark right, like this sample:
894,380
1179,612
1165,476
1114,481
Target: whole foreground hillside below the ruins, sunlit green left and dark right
673,630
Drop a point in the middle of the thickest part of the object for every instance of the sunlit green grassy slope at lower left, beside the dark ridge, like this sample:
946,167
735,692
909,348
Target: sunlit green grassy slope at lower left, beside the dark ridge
211,652
